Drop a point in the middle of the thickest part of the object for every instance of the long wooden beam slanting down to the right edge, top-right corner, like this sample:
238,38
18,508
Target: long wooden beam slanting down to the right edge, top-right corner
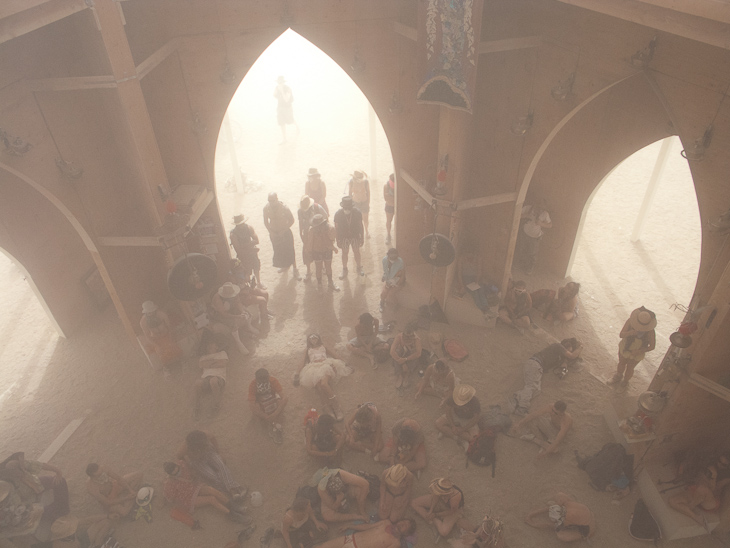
714,33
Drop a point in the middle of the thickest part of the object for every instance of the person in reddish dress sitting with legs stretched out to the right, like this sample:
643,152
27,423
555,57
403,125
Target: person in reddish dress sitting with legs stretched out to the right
180,489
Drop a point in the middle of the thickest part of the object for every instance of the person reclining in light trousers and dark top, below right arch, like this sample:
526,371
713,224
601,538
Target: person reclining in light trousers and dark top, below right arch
554,357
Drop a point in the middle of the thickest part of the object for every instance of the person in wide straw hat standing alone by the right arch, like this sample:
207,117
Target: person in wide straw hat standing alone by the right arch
637,338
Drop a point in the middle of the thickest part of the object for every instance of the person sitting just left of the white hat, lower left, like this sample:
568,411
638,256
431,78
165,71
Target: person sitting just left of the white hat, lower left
115,493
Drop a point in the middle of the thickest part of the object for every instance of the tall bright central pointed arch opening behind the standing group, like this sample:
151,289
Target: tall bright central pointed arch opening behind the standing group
335,130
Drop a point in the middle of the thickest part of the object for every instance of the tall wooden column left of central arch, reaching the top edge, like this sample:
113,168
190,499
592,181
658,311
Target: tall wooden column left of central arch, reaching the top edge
147,155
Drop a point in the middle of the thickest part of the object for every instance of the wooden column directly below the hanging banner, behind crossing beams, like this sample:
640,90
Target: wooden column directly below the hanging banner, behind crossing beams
455,137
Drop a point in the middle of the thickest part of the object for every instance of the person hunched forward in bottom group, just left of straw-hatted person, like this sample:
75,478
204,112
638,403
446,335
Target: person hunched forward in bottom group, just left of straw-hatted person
334,486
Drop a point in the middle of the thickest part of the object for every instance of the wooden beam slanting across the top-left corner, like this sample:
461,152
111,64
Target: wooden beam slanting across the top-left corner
39,15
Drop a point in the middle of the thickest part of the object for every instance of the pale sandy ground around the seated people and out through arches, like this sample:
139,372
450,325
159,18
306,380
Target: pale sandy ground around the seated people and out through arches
137,420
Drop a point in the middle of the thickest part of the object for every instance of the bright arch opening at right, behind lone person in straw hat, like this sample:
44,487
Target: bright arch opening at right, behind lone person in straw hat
639,243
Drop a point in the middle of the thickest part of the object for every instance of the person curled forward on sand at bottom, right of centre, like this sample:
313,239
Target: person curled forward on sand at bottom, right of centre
570,520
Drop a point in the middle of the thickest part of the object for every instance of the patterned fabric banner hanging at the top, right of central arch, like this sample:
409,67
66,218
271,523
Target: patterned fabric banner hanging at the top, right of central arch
449,34
